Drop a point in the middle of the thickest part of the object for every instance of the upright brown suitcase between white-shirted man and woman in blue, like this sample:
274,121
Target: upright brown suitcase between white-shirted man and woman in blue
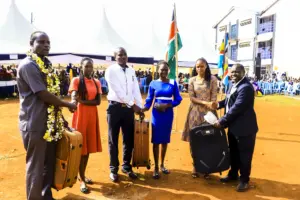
141,144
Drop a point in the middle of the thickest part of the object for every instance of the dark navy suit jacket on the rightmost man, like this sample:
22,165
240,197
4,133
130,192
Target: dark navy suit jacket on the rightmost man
240,117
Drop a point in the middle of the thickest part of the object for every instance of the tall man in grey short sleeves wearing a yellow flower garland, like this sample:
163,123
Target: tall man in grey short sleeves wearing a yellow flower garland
40,118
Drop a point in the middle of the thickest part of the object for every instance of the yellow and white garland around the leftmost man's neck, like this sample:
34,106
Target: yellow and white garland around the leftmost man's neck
55,122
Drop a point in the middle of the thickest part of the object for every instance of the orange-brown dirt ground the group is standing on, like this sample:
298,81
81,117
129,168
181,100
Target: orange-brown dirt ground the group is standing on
275,173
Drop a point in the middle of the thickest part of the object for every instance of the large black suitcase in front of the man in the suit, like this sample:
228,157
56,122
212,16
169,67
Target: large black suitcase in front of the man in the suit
209,148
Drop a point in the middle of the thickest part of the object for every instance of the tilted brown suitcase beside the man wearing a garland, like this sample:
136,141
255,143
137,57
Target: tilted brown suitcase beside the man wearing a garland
68,155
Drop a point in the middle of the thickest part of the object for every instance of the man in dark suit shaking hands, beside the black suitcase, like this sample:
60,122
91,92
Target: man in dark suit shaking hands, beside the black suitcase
240,118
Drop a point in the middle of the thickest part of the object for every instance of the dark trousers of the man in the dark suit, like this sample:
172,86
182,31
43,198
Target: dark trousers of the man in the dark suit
241,152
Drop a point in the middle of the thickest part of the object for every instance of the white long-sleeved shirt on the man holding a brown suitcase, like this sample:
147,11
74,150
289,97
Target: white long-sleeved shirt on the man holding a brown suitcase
123,87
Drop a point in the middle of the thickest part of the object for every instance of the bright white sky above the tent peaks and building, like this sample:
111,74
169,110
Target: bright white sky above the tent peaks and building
134,20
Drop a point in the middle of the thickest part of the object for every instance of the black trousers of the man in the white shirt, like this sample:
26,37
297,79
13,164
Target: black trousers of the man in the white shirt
119,116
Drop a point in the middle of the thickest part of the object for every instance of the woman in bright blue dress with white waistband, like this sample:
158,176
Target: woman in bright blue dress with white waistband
166,96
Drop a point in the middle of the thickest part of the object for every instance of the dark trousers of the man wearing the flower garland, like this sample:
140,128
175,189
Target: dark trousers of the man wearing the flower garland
40,164
